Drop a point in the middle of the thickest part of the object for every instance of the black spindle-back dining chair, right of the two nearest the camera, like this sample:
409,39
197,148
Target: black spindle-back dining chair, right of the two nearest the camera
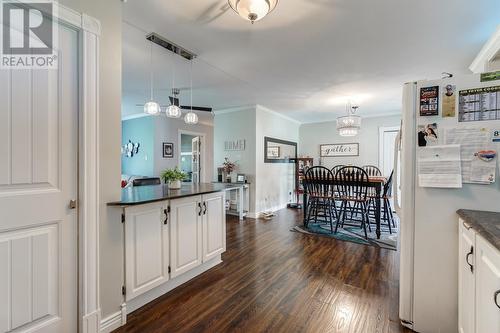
352,184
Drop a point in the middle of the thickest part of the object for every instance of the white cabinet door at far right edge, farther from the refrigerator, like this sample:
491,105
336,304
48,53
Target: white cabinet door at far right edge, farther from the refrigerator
487,287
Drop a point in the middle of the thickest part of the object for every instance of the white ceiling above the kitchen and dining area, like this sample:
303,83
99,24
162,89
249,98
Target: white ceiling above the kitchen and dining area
307,56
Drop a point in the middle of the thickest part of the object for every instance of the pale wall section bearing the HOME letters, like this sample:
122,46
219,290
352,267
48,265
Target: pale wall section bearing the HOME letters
232,125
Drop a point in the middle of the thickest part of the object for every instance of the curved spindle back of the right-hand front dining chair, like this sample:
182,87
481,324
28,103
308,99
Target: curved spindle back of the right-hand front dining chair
352,183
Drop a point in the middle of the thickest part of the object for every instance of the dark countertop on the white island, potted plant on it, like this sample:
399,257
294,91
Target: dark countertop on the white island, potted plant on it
145,194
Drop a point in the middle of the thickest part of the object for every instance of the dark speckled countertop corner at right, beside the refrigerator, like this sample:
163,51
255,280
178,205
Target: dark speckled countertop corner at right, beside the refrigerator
487,224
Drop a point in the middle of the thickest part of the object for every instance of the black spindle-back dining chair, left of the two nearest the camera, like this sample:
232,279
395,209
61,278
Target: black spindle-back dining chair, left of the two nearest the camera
318,181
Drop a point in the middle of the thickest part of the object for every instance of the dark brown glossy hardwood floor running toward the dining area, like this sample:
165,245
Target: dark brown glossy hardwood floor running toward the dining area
274,280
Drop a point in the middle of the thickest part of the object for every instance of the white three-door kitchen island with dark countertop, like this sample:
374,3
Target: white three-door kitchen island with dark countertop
170,236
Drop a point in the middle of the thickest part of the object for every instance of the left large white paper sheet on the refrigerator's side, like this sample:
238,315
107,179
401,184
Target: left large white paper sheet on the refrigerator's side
439,166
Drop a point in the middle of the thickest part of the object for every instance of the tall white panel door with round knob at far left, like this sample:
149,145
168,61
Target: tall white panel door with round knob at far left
38,178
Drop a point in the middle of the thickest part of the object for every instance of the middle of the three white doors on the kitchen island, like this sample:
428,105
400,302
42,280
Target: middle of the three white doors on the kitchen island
185,234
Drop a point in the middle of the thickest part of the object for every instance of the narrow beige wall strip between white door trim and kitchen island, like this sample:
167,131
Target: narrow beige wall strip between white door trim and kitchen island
109,13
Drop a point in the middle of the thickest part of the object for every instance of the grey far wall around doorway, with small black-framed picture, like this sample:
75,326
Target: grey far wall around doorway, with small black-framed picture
167,130
